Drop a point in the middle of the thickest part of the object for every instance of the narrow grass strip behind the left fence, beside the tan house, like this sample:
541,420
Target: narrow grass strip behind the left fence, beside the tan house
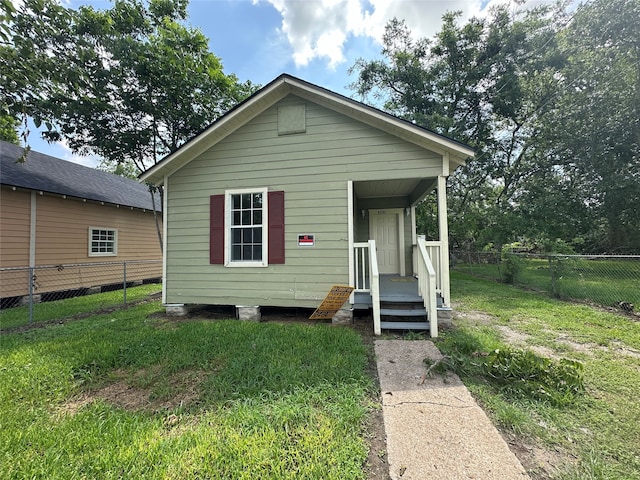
59,309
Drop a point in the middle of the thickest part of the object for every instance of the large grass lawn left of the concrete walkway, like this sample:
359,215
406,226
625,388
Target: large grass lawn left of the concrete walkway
216,399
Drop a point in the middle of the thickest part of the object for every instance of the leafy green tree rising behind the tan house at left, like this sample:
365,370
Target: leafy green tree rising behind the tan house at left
129,84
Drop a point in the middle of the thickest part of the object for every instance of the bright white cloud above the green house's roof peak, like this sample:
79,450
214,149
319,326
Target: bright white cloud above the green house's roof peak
320,28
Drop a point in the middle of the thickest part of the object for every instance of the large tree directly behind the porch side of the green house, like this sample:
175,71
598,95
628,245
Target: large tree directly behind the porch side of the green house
491,83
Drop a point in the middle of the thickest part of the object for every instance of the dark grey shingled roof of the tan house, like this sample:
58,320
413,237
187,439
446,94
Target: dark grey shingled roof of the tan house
53,175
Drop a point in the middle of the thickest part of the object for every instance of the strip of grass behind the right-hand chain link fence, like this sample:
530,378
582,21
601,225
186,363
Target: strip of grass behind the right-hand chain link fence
601,281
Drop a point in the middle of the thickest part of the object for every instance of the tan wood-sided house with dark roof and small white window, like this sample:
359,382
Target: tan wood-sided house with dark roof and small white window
55,213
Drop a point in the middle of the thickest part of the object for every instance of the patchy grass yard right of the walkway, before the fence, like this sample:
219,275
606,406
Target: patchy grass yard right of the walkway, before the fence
599,434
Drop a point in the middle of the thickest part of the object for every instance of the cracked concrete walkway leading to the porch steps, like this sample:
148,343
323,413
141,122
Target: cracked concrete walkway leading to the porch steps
436,430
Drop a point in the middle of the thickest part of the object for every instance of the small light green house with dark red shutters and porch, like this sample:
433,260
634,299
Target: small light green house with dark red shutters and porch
282,197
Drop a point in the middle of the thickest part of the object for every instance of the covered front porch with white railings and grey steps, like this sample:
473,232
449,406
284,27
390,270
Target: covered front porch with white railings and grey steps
398,274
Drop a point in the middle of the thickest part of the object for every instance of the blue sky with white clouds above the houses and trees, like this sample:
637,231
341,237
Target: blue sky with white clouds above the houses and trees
316,40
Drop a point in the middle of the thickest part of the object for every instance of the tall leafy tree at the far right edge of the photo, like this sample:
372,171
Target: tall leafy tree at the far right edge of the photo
594,131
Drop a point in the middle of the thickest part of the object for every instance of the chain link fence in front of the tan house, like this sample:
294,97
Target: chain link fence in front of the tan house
42,293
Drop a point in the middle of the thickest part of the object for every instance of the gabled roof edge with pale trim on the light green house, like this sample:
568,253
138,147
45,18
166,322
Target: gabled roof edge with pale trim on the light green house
278,89
